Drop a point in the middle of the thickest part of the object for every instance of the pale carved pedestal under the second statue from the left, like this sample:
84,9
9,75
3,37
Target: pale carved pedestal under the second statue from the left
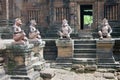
37,50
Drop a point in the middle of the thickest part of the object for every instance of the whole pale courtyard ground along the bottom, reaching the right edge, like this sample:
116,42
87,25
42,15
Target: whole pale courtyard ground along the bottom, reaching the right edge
67,74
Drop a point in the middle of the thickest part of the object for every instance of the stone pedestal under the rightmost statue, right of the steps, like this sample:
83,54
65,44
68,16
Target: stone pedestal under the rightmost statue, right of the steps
104,51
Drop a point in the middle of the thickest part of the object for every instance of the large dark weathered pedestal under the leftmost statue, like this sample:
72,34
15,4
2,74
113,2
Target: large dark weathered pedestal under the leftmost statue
19,62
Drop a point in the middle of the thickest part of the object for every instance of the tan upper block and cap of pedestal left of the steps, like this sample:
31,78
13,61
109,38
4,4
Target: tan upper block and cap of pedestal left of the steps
65,48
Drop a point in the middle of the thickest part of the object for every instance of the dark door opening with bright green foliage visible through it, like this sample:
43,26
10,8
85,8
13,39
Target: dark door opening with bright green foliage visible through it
86,12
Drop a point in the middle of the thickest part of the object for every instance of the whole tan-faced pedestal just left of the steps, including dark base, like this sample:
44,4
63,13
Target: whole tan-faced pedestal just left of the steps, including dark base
65,50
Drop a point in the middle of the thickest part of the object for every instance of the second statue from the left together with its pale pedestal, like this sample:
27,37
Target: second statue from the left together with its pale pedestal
37,50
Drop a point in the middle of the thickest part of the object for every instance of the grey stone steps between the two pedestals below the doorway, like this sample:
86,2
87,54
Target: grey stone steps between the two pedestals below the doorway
84,52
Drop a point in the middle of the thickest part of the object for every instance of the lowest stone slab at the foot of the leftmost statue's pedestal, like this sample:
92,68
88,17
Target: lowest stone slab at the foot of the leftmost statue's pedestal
31,76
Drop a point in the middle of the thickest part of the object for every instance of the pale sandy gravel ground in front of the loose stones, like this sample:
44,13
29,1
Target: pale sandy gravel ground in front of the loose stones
66,74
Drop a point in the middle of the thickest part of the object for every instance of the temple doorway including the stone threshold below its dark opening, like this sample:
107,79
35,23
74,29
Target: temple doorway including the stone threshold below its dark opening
86,21
